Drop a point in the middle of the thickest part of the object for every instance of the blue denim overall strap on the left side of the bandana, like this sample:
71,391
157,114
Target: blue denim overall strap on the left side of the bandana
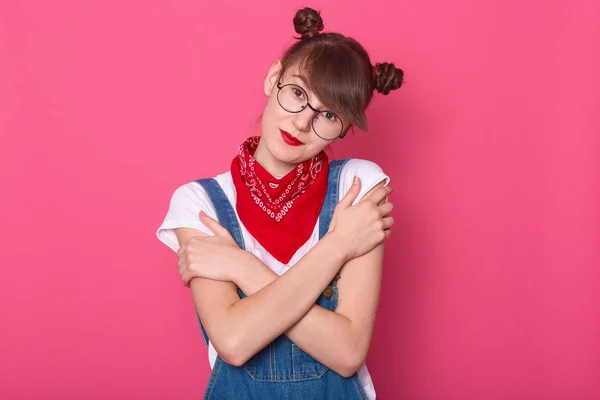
226,217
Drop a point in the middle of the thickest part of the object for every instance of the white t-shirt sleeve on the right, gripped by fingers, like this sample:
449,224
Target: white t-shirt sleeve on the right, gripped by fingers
370,175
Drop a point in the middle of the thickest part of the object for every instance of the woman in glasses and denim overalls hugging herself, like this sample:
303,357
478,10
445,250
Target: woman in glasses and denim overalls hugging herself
273,331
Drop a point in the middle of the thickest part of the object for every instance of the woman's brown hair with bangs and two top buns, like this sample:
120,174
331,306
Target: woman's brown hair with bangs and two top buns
338,68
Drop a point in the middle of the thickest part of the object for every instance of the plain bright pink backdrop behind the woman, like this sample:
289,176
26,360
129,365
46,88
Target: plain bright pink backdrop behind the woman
491,282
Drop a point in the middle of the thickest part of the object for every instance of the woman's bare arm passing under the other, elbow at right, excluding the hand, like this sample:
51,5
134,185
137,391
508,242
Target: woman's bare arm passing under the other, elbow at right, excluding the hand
339,340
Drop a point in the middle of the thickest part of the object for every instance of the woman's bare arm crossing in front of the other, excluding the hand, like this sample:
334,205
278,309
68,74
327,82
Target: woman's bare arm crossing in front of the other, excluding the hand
239,328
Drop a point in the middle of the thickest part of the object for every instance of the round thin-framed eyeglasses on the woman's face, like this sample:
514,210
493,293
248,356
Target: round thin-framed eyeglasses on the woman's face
326,124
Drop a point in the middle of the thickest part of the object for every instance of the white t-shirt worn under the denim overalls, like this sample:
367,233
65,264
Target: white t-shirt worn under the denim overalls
189,199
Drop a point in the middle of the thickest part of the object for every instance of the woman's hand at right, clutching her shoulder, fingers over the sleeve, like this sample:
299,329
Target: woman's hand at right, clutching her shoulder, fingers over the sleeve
361,227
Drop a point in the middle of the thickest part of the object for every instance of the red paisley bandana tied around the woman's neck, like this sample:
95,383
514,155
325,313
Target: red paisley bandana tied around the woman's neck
281,214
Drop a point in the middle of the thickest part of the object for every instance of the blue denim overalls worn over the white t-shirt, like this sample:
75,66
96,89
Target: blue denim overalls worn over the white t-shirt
281,370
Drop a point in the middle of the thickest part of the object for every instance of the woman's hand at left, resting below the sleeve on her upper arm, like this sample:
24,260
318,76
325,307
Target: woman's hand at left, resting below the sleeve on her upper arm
211,257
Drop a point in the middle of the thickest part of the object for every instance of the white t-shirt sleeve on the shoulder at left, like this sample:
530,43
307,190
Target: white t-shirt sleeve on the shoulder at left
185,205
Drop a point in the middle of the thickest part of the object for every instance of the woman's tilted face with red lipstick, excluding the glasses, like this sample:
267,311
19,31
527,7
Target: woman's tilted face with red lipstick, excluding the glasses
289,137
